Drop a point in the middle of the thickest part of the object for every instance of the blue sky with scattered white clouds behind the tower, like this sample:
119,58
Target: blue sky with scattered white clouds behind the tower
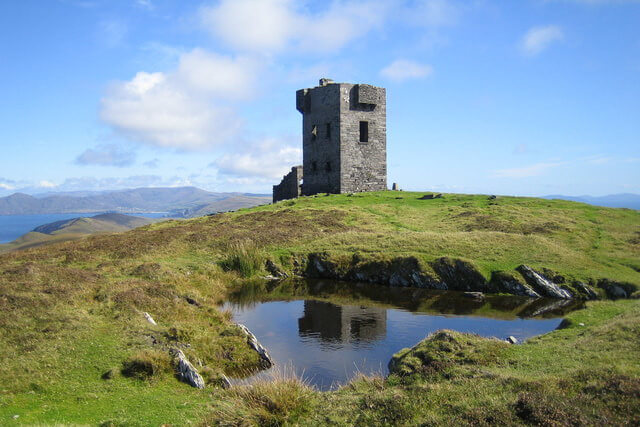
527,97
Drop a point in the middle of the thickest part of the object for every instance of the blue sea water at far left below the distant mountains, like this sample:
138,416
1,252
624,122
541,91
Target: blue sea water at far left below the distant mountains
14,226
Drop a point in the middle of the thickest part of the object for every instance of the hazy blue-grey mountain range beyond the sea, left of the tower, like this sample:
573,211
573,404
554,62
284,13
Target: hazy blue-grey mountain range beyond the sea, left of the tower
123,201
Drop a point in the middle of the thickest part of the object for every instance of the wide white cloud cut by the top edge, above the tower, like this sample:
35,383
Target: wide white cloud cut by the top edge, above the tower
268,26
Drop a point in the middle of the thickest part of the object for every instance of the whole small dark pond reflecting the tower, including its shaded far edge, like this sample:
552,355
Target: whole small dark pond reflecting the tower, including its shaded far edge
326,332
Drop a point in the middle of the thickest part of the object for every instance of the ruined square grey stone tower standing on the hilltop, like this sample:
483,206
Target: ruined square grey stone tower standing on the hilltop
344,141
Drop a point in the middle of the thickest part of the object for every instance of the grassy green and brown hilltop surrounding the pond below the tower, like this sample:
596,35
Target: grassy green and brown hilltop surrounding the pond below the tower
71,313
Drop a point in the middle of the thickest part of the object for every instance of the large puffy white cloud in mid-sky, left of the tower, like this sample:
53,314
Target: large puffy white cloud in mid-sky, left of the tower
184,109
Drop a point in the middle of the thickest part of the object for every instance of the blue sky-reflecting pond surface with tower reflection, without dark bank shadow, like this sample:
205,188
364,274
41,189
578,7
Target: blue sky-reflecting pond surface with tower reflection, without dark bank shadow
327,344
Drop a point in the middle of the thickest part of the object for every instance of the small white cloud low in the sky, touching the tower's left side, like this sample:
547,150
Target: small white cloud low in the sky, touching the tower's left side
269,159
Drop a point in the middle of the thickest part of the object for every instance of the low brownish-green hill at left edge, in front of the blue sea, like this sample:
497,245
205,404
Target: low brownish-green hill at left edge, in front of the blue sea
75,228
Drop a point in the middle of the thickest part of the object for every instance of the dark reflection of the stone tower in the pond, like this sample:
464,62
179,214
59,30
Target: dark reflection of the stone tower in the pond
334,325
